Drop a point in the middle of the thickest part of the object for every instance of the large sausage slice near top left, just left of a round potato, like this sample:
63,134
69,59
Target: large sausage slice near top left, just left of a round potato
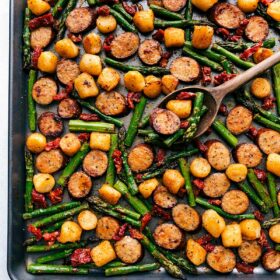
79,20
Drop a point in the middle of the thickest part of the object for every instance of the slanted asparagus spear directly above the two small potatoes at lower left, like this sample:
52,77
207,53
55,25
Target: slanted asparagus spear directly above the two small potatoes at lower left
60,216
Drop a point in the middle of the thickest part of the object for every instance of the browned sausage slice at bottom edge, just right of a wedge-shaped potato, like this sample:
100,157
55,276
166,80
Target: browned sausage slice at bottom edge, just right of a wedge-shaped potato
221,259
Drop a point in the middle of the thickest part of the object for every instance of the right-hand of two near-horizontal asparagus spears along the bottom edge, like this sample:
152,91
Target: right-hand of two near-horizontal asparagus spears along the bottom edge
131,269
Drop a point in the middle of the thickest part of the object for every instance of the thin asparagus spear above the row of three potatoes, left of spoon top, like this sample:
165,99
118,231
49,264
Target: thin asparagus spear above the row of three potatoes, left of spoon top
145,70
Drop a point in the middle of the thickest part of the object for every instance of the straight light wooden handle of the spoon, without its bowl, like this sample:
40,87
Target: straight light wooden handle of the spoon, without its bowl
221,91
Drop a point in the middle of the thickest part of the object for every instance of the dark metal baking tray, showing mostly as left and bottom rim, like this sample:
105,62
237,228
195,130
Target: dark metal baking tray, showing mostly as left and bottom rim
17,257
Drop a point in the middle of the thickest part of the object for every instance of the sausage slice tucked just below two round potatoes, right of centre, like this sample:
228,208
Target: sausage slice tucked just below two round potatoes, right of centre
216,185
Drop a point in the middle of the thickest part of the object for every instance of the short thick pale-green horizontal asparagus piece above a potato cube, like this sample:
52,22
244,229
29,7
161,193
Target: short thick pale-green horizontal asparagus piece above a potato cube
78,125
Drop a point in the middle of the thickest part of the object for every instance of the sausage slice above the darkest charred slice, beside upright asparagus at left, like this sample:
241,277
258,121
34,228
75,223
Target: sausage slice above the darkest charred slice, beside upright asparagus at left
44,90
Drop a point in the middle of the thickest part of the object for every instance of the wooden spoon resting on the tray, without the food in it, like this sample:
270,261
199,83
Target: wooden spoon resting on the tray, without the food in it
214,96
